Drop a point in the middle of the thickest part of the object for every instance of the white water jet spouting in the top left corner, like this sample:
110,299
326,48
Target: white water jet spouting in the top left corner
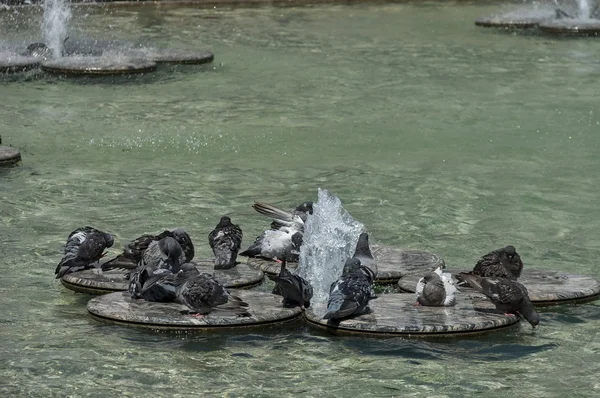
57,14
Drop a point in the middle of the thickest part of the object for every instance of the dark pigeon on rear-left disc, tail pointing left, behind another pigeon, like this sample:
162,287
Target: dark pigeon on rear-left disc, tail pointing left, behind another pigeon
134,250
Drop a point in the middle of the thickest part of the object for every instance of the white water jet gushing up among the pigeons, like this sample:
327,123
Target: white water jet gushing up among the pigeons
330,236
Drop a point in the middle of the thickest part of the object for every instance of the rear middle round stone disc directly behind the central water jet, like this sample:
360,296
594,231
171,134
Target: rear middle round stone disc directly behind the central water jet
392,264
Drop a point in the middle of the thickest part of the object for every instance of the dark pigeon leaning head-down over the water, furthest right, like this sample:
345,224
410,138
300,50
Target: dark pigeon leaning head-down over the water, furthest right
508,295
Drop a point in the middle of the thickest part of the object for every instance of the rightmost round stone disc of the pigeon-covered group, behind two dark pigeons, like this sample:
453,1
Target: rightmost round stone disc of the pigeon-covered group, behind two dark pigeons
545,287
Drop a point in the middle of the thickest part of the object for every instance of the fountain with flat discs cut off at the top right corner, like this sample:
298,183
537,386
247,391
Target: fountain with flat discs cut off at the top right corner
580,18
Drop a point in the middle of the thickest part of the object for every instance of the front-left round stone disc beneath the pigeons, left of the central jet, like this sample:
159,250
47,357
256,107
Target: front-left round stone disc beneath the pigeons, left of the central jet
119,307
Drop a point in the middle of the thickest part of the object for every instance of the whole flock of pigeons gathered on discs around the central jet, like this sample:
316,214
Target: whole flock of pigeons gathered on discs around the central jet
161,269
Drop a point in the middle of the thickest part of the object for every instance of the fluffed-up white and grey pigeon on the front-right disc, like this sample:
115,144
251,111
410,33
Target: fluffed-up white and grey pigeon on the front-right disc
436,289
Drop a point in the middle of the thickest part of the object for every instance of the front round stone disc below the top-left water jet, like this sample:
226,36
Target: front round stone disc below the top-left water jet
103,66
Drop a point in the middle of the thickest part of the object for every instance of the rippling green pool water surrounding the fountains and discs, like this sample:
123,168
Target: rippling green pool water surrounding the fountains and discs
436,134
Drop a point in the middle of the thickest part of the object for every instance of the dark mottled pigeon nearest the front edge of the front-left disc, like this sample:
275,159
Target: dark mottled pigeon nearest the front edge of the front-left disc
203,295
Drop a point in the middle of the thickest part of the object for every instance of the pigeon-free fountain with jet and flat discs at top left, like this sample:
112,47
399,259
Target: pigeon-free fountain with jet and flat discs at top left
62,54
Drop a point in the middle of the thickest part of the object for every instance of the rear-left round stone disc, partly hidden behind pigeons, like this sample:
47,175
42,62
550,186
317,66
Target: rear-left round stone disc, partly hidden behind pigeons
95,281
